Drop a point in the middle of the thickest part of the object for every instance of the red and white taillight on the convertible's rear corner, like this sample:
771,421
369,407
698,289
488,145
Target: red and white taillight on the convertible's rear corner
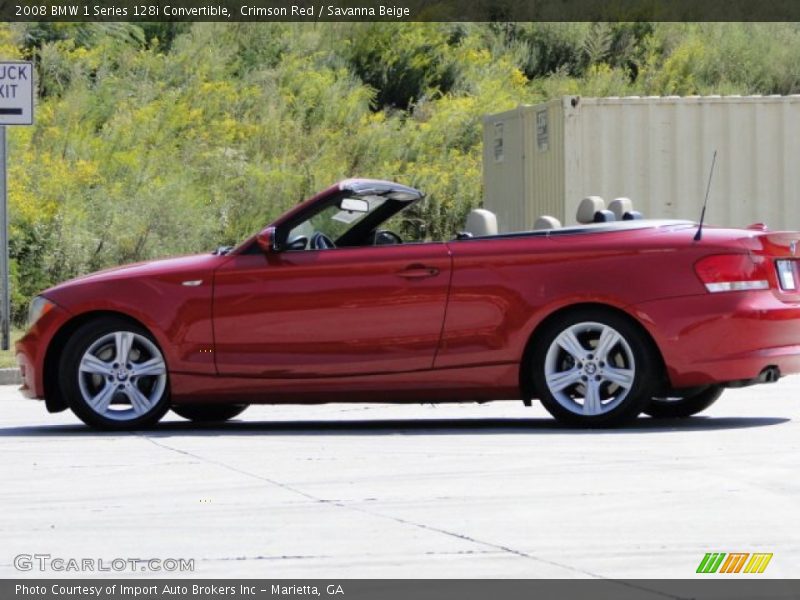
733,272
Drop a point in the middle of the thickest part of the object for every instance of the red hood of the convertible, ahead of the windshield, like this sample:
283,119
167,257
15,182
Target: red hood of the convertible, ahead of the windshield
153,268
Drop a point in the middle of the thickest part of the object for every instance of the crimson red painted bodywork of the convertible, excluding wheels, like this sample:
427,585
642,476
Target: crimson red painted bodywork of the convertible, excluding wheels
442,321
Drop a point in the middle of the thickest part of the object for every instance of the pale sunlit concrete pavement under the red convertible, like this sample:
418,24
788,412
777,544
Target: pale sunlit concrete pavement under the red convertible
346,491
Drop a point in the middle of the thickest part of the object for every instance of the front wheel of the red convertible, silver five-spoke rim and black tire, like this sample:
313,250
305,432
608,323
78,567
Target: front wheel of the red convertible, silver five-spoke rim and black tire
114,376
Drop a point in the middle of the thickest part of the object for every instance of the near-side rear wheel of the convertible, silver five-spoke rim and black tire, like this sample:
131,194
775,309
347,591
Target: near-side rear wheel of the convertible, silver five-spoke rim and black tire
634,357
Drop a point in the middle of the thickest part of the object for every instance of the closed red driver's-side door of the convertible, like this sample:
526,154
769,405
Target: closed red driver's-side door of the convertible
334,312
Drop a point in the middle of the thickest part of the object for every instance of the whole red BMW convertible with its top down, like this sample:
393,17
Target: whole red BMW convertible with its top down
600,322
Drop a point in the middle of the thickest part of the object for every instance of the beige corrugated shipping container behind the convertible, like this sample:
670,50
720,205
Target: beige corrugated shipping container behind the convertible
657,151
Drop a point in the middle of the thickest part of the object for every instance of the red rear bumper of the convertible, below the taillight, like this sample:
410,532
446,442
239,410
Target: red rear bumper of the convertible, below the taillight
724,338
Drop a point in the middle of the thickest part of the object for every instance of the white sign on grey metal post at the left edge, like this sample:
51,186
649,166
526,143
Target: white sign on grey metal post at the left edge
16,108
